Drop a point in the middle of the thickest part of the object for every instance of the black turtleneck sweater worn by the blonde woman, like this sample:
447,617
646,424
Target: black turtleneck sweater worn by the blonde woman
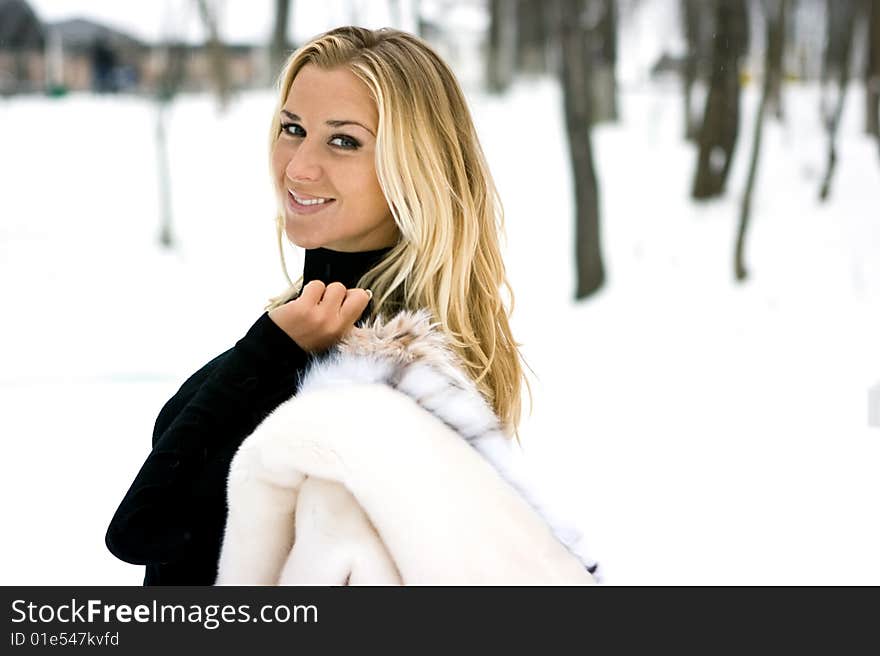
173,515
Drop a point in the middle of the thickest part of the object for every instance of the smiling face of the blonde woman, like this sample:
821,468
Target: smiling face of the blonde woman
326,150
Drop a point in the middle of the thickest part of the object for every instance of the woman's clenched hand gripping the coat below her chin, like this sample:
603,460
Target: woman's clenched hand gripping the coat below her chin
322,315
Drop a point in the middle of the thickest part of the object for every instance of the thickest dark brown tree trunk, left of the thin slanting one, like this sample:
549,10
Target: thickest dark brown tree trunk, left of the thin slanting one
720,128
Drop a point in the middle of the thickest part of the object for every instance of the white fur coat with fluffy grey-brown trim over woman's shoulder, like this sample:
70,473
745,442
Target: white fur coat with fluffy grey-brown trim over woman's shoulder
388,467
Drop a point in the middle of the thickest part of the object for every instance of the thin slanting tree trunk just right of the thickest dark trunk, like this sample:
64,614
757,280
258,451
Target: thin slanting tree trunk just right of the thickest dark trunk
774,12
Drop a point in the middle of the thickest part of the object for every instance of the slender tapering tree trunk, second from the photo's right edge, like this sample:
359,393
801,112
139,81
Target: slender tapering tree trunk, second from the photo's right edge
841,16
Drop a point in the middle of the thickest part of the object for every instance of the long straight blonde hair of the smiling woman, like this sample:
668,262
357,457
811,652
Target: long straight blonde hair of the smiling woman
435,178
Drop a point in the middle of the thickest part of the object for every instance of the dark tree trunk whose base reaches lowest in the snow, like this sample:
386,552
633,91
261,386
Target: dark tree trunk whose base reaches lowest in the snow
576,64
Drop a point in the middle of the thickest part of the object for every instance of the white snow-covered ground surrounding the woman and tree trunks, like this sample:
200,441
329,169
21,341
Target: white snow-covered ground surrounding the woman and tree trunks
703,432
